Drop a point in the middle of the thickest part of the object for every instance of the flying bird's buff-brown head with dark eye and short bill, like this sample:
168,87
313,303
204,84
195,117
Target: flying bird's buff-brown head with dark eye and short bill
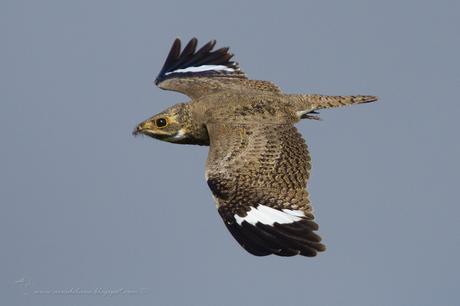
171,125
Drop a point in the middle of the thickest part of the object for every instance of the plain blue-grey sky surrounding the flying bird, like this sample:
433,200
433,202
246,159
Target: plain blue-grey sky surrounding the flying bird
86,207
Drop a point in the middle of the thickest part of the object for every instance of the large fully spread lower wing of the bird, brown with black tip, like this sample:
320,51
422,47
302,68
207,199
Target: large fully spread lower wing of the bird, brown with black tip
258,175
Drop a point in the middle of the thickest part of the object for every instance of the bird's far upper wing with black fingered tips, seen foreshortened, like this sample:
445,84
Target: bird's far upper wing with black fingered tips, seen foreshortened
199,72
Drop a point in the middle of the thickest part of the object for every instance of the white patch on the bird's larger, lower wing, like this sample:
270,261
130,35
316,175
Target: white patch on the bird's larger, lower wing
267,215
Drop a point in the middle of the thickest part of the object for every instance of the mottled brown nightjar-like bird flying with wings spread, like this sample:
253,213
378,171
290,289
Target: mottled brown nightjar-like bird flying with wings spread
258,163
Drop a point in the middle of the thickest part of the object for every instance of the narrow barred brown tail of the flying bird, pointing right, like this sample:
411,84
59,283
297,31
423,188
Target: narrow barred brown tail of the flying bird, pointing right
307,104
